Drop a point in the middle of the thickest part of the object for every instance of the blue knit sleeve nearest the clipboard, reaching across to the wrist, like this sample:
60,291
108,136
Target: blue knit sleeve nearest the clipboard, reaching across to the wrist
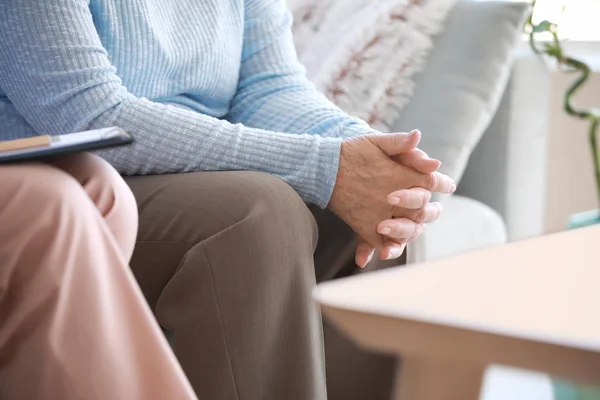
56,72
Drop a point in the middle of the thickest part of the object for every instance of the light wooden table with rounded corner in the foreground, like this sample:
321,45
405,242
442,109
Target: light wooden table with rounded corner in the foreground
533,304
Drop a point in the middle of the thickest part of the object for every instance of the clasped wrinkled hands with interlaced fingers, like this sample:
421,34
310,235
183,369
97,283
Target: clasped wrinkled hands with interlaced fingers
383,192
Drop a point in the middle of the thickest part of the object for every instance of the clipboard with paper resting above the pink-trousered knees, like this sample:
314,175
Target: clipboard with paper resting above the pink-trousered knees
41,147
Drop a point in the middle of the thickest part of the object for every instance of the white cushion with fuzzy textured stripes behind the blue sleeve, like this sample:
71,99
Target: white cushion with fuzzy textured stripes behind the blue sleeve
363,54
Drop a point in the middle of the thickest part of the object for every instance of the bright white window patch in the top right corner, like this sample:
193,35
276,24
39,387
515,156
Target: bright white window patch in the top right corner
577,19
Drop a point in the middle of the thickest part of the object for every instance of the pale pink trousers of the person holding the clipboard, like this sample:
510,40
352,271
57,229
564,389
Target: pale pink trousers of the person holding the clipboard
73,322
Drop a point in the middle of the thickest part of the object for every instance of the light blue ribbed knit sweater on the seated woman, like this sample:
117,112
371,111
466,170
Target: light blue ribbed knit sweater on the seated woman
202,84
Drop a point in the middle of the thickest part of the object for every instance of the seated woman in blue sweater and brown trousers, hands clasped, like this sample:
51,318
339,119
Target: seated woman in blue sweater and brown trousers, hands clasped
213,88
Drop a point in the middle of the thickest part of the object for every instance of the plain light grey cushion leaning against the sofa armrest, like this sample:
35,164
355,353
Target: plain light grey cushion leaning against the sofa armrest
458,92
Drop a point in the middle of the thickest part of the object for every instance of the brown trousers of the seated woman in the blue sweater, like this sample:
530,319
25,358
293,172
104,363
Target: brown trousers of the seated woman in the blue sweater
227,261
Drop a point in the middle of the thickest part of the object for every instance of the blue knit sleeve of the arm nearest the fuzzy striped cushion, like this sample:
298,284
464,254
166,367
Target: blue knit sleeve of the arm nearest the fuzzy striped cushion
273,91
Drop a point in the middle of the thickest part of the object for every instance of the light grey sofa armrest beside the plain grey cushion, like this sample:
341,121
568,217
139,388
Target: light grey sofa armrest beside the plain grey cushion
507,170
